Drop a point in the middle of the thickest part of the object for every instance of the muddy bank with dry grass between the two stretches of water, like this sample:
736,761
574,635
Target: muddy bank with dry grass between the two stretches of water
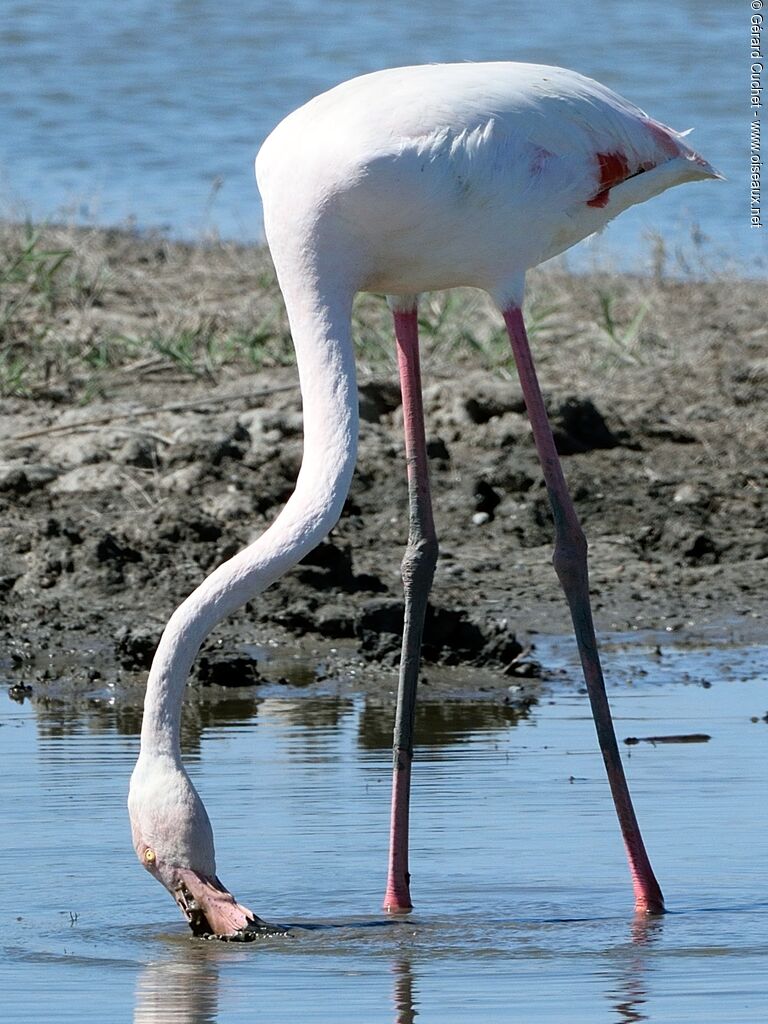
151,428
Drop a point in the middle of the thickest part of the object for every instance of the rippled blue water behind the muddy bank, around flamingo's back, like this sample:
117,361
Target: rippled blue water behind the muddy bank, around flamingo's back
155,112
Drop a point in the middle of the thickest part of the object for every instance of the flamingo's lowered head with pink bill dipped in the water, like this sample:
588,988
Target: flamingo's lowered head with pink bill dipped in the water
174,840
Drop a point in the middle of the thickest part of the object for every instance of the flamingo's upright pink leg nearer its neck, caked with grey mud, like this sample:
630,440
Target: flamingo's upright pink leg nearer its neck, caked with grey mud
418,570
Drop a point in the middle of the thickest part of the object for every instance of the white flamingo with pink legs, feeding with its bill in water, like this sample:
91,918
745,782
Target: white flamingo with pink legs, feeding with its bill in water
403,182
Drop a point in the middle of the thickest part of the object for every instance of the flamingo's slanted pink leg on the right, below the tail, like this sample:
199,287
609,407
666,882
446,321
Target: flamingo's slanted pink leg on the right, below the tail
571,566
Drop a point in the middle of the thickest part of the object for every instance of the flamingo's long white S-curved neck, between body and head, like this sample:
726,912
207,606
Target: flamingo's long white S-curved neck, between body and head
320,316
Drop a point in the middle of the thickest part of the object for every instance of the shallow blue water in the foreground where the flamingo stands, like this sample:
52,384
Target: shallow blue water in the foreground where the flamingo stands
524,902
